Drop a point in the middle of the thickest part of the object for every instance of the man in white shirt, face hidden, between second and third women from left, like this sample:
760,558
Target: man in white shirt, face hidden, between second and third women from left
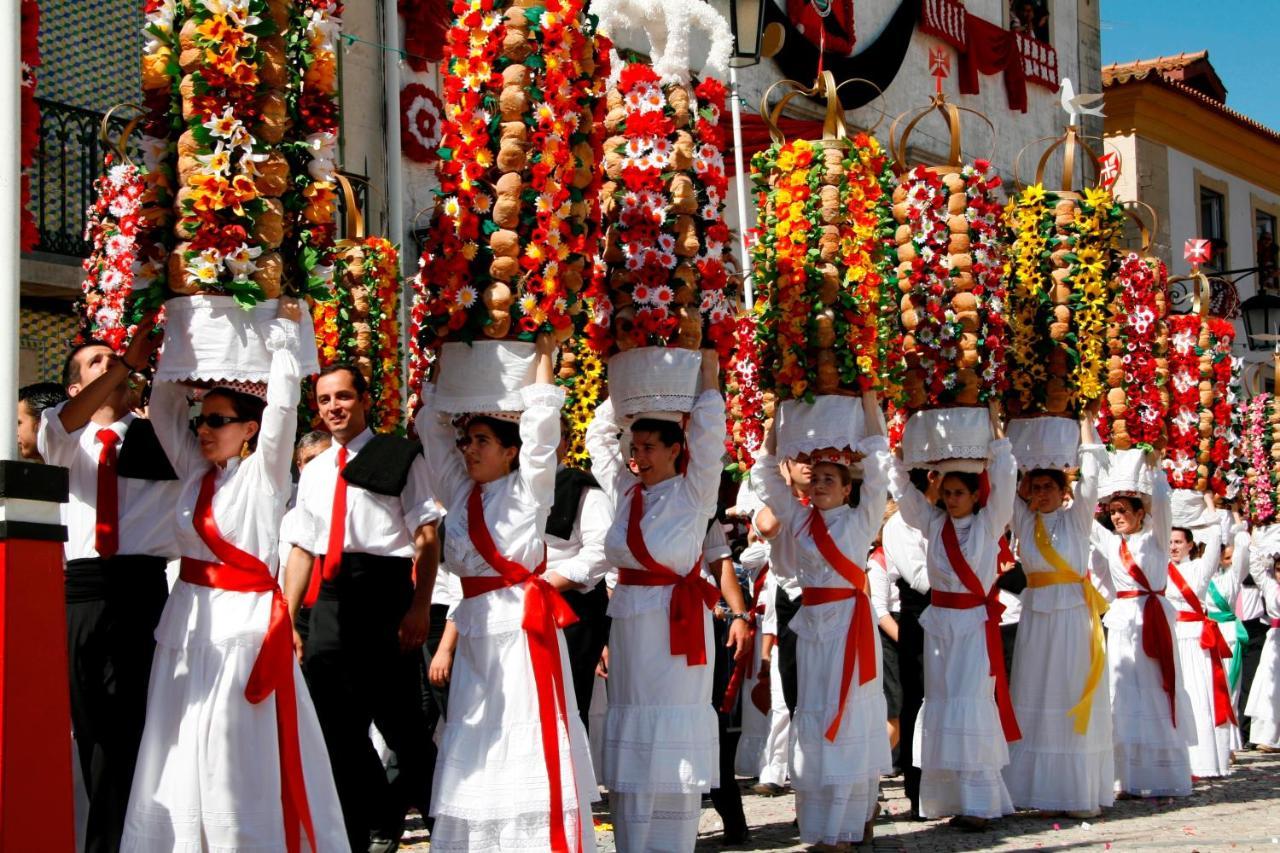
575,532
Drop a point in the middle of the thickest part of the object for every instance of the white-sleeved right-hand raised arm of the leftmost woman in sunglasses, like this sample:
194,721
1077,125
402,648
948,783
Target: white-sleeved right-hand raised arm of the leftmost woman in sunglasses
284,393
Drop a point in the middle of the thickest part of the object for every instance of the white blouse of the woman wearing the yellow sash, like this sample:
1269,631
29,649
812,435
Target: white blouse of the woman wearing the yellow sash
1068,531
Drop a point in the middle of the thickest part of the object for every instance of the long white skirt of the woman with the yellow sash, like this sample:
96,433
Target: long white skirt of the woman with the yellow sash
1053,768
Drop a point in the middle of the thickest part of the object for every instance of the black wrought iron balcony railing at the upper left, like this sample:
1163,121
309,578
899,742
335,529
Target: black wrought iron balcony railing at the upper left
67,162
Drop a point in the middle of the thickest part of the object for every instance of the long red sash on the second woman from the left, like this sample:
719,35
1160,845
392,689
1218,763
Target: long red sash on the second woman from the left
546,612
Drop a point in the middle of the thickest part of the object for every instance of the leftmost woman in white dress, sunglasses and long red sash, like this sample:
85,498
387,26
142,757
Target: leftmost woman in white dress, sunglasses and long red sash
232,755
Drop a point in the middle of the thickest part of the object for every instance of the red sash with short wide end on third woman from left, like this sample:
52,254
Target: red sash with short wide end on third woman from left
689,594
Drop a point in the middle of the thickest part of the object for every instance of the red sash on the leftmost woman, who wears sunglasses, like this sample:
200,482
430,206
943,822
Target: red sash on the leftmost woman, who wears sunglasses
273,670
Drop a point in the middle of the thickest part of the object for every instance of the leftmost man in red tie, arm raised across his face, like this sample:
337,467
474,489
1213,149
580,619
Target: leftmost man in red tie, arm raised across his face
120,524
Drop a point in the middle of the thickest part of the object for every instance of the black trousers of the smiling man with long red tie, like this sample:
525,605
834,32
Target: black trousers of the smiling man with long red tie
359,677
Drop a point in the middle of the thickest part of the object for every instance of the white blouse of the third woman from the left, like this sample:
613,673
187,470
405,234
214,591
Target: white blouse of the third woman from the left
676,512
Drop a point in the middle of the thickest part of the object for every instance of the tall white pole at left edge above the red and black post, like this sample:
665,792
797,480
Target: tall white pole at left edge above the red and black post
11,212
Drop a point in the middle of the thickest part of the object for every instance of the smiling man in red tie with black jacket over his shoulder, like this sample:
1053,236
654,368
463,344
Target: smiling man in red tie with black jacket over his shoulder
373,521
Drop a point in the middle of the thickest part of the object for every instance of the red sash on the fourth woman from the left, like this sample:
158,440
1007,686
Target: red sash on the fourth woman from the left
861,640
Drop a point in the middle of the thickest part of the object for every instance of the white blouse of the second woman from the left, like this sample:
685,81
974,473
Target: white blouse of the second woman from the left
515,507
